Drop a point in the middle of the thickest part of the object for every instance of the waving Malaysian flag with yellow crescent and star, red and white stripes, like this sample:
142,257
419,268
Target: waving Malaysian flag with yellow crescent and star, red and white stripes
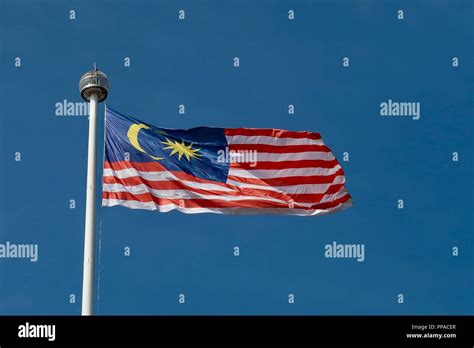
219,170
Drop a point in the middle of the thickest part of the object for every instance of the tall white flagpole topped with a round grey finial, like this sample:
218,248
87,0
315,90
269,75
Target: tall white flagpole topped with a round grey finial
94,87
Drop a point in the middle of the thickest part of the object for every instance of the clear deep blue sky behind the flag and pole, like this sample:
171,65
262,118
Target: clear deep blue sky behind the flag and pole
407,251
